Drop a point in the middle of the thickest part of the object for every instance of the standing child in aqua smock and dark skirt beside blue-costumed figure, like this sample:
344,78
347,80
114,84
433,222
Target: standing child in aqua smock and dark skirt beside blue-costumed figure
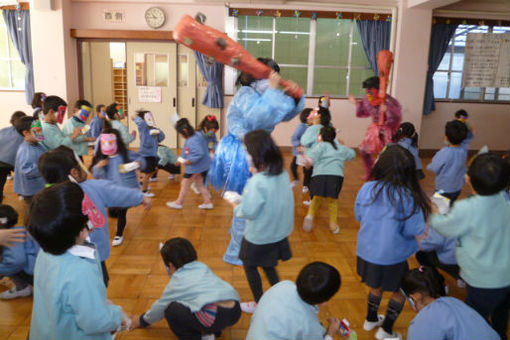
267,205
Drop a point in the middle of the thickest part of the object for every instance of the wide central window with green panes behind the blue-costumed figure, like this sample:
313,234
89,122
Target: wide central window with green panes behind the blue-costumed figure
339,64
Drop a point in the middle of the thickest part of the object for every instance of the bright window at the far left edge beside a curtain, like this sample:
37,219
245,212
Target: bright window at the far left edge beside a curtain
12,70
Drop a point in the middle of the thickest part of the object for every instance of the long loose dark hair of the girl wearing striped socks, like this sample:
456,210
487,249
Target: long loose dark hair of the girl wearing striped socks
395,172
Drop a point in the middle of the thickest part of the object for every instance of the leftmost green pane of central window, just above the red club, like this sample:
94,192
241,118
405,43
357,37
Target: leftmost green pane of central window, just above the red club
256,35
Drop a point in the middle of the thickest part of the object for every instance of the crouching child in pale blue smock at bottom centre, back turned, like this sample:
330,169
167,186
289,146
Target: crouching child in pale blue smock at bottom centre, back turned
289,311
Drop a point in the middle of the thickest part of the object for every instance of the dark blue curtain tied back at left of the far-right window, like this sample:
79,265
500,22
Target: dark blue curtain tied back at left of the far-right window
439,40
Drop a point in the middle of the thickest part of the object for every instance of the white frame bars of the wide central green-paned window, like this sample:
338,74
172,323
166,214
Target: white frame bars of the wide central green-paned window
311,56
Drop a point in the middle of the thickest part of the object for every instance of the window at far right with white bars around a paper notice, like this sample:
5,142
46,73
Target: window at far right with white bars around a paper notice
448,77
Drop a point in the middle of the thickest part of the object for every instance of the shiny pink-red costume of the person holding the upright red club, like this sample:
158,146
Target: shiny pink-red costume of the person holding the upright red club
378,135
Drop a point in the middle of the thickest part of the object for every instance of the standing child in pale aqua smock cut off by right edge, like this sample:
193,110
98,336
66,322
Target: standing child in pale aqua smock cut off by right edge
481,224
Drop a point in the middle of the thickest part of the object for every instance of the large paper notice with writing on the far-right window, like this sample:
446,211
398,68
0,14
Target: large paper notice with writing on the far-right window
487,60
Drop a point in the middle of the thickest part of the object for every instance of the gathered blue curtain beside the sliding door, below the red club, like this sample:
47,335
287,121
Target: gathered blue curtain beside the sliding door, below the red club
213,73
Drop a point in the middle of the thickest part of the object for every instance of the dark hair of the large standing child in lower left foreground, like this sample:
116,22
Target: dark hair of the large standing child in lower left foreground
56,218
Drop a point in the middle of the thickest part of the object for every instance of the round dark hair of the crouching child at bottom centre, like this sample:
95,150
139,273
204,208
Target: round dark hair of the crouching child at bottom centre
318,282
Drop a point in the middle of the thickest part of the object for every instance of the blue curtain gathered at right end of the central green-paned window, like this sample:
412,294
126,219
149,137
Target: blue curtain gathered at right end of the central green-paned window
375,36
